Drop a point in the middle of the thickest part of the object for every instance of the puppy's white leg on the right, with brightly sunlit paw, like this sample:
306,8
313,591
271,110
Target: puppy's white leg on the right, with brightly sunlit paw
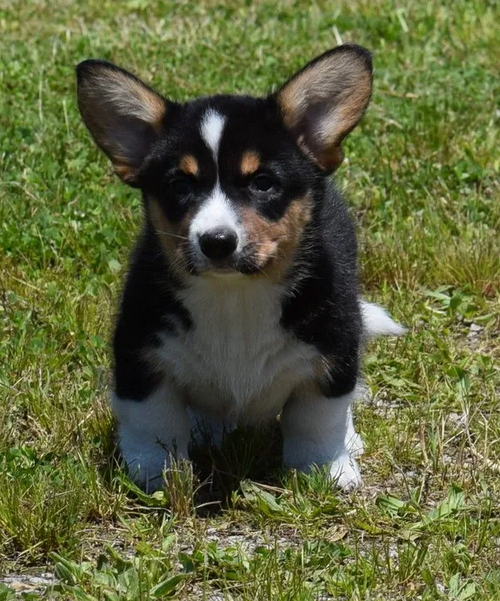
315,431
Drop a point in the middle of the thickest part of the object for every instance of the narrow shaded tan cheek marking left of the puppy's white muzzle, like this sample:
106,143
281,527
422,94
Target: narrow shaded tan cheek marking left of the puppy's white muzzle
173,237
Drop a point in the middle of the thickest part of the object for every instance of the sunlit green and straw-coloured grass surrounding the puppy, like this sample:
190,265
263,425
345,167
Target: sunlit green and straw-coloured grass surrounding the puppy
422,178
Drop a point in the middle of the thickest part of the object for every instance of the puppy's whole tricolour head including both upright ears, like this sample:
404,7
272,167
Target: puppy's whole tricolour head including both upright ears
229,181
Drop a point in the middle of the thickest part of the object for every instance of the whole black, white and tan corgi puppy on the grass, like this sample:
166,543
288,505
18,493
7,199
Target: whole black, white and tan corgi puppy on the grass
242,301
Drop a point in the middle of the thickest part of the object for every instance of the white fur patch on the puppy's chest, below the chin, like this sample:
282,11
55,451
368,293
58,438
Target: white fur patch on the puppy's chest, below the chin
236,362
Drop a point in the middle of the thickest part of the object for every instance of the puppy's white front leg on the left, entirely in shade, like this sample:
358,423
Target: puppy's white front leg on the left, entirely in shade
150,432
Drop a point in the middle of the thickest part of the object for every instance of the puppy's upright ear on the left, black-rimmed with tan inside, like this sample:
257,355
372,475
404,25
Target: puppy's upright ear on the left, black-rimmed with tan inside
122,113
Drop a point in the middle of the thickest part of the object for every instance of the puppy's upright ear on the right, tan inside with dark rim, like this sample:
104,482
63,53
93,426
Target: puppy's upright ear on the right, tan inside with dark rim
324,101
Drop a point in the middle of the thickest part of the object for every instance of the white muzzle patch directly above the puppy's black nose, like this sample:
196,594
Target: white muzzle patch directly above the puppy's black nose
216,212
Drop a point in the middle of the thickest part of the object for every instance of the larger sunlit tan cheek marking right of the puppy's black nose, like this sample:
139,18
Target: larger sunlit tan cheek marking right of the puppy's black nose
276,242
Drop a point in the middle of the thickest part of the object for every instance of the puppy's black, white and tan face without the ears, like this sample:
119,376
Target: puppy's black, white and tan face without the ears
227,189
